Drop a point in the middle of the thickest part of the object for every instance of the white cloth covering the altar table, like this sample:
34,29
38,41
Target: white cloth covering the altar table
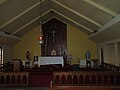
50,60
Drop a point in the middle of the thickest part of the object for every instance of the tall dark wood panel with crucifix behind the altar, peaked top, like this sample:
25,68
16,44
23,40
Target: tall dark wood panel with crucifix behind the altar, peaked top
55,38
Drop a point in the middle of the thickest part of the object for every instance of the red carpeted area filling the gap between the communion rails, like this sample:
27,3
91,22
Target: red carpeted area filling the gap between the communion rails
40,79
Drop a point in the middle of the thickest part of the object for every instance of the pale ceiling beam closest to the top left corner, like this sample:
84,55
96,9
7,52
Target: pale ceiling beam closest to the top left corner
19,15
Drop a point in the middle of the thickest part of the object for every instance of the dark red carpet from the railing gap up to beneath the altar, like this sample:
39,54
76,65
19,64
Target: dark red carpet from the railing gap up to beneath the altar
41,77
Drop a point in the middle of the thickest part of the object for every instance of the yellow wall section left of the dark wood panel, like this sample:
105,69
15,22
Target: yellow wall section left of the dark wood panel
29,42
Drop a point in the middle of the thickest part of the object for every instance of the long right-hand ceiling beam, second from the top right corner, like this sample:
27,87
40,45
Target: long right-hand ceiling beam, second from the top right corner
79,14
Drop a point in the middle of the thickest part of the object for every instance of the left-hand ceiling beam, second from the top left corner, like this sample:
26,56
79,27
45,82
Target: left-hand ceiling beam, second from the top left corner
31,22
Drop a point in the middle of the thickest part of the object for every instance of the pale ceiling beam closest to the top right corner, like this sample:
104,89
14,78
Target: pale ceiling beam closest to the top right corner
102,8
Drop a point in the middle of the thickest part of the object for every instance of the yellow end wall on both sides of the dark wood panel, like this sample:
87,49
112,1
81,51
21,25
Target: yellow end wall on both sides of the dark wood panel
77,44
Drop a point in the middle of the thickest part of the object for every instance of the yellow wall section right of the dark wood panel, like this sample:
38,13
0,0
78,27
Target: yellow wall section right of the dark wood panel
78,43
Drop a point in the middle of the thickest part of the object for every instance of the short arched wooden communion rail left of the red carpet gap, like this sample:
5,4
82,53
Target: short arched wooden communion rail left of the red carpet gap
14,79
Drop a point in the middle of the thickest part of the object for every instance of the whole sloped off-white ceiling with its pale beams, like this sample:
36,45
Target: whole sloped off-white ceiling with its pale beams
97,18
